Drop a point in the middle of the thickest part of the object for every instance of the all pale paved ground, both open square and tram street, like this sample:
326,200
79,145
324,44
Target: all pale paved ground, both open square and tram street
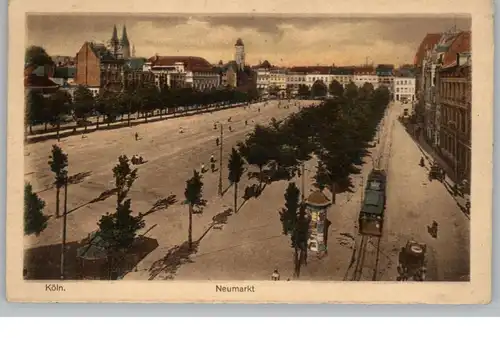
250,244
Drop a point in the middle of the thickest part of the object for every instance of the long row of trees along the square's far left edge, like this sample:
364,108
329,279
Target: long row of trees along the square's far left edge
54,108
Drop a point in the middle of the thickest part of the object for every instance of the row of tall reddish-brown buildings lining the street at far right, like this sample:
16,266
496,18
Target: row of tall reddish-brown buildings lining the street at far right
443,86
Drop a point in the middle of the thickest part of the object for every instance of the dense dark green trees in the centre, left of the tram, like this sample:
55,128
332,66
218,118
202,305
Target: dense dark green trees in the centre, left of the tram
337,132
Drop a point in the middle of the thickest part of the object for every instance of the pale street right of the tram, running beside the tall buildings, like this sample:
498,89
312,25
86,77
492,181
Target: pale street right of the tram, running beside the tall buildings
412,204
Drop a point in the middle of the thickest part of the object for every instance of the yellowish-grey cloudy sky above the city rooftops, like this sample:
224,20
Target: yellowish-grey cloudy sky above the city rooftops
282,40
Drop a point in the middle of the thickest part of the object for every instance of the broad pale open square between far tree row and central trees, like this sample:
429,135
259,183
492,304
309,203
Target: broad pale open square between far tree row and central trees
171,157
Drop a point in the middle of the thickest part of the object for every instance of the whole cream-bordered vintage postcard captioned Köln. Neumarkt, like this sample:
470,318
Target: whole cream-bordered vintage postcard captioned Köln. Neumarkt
250,152
